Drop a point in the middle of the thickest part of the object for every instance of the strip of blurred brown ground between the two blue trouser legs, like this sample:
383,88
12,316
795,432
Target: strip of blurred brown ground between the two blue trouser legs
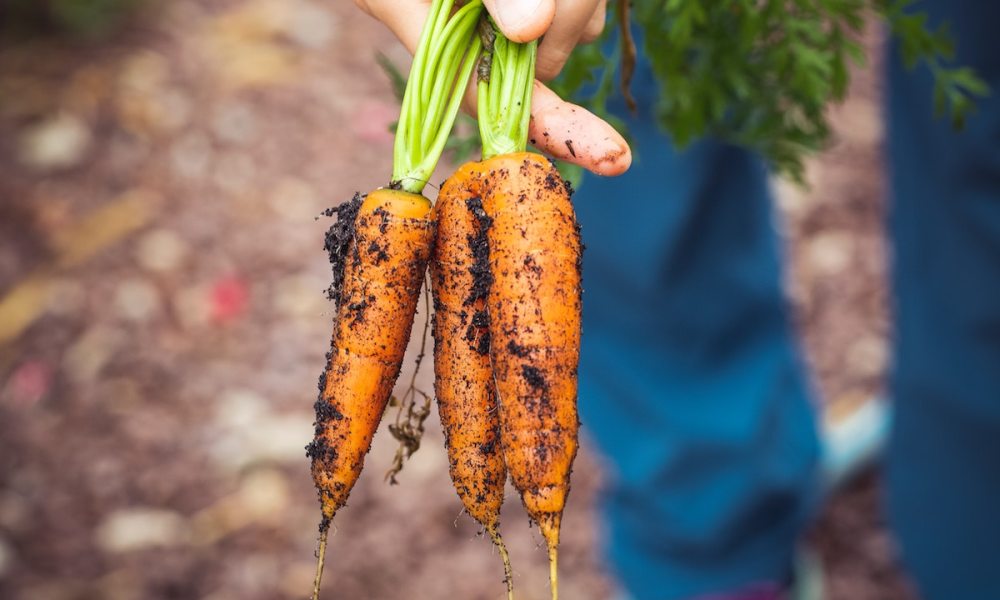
837,281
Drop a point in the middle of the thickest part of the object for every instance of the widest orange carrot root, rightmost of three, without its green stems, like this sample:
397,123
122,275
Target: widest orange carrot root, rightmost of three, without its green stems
535,308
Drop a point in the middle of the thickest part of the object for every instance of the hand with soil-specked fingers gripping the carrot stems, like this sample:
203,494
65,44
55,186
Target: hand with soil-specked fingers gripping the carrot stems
558,128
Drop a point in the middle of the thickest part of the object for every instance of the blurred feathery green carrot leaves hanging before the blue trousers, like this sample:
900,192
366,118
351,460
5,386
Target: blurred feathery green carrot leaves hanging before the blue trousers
761,73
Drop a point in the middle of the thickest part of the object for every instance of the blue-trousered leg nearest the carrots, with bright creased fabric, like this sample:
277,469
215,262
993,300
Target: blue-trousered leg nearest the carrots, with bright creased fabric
690,381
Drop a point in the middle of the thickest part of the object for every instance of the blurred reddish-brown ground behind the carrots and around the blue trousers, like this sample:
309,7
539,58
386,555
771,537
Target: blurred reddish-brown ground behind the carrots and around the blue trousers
162,322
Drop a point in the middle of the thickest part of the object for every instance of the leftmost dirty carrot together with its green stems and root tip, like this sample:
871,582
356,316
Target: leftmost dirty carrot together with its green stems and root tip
380,247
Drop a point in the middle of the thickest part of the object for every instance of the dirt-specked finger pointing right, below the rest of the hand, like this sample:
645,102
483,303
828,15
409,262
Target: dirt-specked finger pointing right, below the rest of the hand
574,134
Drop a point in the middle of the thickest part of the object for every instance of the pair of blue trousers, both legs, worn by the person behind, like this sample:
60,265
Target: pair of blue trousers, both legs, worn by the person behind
691,381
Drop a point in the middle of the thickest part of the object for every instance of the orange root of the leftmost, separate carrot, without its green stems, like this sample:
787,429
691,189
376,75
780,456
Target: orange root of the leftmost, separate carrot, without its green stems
383,259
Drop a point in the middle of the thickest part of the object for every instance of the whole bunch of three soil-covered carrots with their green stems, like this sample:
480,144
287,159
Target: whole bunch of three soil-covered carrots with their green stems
503,248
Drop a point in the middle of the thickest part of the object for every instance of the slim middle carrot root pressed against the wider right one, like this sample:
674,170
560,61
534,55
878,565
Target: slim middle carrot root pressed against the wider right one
463,383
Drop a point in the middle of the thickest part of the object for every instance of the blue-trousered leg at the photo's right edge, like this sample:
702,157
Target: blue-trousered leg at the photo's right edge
944,456
